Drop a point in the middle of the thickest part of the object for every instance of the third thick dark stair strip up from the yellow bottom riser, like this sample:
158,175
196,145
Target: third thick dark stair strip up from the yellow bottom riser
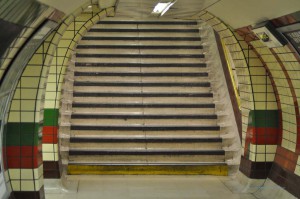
145,128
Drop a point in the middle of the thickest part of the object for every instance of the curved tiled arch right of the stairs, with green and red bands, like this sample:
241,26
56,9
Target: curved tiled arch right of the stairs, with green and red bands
258,100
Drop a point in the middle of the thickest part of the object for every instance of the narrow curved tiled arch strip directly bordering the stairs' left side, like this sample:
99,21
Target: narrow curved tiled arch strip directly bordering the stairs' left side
65,40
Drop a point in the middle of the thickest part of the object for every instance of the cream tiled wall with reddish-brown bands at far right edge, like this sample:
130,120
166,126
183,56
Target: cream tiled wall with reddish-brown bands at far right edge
283,67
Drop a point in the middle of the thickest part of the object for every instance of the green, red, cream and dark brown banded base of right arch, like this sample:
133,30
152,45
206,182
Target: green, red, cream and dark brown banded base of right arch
260,143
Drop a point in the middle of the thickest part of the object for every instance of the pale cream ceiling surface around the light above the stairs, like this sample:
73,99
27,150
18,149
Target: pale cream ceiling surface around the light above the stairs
236,13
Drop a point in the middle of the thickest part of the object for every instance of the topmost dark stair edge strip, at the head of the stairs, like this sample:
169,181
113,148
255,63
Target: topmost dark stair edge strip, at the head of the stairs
150,22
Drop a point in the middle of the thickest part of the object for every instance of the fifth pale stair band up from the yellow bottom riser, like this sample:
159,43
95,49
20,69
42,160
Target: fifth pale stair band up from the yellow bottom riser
145,110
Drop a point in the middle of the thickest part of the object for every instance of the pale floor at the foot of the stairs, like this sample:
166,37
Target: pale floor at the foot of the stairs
148,187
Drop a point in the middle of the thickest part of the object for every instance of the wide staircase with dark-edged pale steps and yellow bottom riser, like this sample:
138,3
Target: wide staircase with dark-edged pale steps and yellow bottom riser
142,102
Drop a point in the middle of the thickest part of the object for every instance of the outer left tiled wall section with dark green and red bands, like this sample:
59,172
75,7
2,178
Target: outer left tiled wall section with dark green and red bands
23,130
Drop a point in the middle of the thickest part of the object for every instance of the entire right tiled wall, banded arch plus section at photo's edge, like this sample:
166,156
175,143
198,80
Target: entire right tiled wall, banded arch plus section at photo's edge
268,84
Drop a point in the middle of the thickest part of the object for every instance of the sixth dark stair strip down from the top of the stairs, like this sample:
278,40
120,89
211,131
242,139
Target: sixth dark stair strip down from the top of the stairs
140,65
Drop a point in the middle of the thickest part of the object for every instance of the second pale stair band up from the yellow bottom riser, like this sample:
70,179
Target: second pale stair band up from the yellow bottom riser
144,146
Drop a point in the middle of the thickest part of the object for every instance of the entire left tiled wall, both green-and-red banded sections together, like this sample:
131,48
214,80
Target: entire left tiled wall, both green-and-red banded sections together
30,137
